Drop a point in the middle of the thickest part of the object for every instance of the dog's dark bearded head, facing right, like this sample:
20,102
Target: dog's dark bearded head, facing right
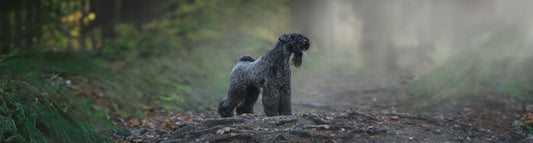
297,44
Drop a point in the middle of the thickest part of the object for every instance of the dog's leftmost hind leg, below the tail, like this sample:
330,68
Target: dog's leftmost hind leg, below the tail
235,95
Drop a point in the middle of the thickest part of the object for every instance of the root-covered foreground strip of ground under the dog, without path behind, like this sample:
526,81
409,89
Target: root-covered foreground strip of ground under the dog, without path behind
355,125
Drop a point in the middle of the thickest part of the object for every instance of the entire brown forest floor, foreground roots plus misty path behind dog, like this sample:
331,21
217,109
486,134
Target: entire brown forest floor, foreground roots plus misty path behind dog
339,114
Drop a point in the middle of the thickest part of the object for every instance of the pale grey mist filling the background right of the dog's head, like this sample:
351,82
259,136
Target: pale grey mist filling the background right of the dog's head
387,53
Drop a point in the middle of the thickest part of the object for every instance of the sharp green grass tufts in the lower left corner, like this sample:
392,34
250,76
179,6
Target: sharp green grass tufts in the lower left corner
34,110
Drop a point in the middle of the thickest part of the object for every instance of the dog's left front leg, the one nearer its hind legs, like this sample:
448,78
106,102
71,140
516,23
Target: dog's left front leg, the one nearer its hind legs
271,99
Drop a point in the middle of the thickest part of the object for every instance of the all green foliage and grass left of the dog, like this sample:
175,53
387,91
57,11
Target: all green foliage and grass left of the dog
178,61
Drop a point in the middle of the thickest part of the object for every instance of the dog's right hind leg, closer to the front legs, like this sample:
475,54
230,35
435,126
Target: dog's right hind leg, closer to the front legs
247,105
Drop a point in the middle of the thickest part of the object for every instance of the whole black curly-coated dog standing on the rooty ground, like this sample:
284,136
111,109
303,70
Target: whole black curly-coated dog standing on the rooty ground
271,72
